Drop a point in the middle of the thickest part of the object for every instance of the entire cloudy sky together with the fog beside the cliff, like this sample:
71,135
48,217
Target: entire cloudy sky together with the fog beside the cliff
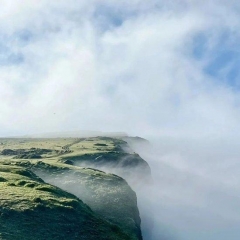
164,70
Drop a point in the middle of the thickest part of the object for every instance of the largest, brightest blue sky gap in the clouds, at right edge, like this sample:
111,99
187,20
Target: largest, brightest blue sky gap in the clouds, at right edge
223,57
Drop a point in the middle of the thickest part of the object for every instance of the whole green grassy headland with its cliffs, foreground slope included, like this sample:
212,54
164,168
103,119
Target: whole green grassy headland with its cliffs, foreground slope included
60,188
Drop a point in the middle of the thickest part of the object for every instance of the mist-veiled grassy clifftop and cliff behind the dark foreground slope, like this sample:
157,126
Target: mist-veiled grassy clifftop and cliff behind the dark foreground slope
108,195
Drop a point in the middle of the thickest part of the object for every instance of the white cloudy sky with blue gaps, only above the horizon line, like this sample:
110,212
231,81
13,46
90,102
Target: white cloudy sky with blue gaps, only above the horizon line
151,68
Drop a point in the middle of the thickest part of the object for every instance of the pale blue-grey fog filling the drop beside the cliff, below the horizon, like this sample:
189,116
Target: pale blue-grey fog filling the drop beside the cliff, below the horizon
196,193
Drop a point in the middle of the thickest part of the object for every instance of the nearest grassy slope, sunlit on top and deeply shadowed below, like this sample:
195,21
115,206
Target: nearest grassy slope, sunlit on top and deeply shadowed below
30,209
